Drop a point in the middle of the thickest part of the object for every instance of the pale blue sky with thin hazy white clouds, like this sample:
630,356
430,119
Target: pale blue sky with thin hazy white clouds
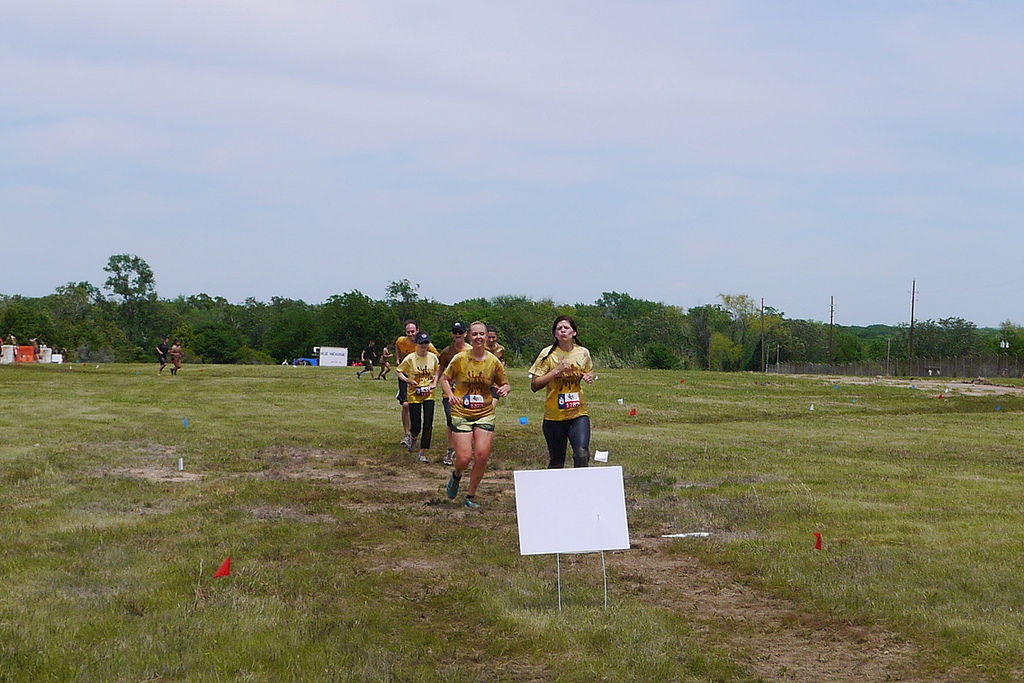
671,150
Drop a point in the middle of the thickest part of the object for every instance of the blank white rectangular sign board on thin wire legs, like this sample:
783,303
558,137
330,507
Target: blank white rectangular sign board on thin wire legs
578,510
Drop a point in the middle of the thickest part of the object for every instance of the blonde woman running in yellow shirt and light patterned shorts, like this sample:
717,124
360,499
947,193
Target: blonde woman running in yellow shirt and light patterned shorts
467,383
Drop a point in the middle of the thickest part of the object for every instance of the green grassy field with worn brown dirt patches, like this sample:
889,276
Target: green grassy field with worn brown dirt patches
350,565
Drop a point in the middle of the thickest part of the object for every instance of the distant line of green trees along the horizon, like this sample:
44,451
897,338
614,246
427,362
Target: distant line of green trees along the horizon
125,320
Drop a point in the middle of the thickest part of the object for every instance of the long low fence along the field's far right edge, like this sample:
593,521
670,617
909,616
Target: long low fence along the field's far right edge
963,367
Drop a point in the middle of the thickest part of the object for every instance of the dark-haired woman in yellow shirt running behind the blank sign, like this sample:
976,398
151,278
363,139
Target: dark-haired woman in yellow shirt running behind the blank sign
563,368
